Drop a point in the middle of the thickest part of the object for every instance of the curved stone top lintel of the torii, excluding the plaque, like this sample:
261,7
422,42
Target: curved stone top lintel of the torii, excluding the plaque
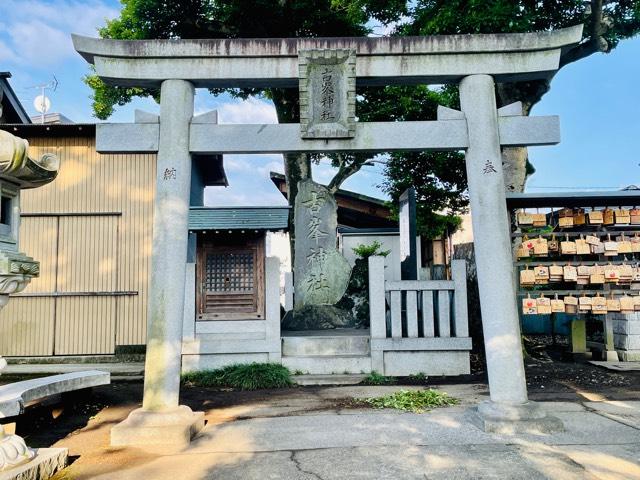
273,62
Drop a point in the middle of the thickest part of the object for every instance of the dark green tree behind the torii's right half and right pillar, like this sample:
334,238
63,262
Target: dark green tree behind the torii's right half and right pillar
440,178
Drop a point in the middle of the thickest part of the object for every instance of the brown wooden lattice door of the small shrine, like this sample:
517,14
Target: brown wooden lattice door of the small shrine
231,280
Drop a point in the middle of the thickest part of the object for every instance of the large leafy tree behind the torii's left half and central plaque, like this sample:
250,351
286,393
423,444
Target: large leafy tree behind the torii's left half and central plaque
151,19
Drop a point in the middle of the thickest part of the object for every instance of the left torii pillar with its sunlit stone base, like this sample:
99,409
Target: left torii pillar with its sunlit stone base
161,420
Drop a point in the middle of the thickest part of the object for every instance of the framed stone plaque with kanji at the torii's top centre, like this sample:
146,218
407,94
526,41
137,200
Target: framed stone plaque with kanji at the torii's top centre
327,93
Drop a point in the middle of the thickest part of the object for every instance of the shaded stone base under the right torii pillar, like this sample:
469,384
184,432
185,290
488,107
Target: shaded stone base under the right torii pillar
493,417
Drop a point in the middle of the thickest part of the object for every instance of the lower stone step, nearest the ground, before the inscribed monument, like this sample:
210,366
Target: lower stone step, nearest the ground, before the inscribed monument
326,365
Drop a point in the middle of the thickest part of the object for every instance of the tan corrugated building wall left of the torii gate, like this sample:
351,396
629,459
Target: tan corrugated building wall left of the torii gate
91,230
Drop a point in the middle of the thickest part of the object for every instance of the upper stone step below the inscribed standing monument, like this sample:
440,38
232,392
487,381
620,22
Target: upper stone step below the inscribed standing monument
326,345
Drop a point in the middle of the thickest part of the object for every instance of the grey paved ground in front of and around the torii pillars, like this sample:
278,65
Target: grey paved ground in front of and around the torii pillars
307,434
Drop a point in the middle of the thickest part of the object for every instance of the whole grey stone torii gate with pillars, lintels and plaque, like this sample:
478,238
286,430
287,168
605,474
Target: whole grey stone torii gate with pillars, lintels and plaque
318,66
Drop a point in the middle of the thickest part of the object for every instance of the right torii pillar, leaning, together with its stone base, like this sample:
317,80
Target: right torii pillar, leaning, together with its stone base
509,408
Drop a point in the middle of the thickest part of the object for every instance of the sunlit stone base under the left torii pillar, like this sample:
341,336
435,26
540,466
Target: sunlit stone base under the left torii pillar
170,428
